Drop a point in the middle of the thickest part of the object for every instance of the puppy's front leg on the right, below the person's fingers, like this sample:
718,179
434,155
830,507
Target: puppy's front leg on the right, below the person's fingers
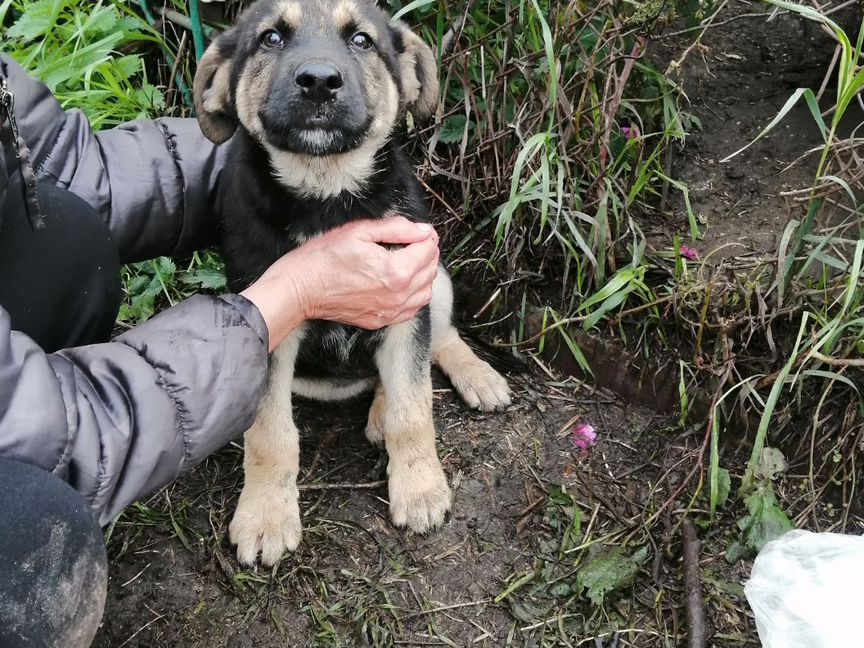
419,494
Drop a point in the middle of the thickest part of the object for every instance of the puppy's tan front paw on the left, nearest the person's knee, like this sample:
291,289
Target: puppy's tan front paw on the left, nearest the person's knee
267,521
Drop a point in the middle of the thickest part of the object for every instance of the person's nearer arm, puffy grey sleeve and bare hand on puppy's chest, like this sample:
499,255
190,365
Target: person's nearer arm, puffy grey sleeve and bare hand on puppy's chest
119,420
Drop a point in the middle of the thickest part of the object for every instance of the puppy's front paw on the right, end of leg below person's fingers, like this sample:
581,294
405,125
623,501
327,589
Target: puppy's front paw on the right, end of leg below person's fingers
419,494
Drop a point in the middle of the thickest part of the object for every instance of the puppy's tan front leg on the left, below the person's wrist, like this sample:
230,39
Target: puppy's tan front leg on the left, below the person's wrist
267,519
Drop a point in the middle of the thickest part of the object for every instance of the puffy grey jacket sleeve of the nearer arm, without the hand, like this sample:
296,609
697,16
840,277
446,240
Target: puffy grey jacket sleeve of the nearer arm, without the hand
121,419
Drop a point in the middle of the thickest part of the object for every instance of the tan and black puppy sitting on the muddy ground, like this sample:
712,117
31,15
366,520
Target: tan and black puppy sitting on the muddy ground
311,92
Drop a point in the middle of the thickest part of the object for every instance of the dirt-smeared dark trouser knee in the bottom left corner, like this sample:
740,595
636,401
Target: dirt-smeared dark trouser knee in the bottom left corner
53,569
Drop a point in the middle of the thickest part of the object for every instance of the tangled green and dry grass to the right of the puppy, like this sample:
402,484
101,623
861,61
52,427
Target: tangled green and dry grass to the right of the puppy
566,185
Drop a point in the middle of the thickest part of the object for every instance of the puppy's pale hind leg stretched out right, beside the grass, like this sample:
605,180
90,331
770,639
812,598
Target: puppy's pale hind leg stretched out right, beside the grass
479,385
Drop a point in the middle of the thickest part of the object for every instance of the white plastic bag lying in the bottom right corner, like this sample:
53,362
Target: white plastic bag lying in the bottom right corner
805,591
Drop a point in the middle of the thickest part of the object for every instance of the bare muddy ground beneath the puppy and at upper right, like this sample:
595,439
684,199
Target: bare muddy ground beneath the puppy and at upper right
502,571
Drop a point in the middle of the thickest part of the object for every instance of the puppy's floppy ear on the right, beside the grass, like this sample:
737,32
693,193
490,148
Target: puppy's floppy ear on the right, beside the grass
418,70
